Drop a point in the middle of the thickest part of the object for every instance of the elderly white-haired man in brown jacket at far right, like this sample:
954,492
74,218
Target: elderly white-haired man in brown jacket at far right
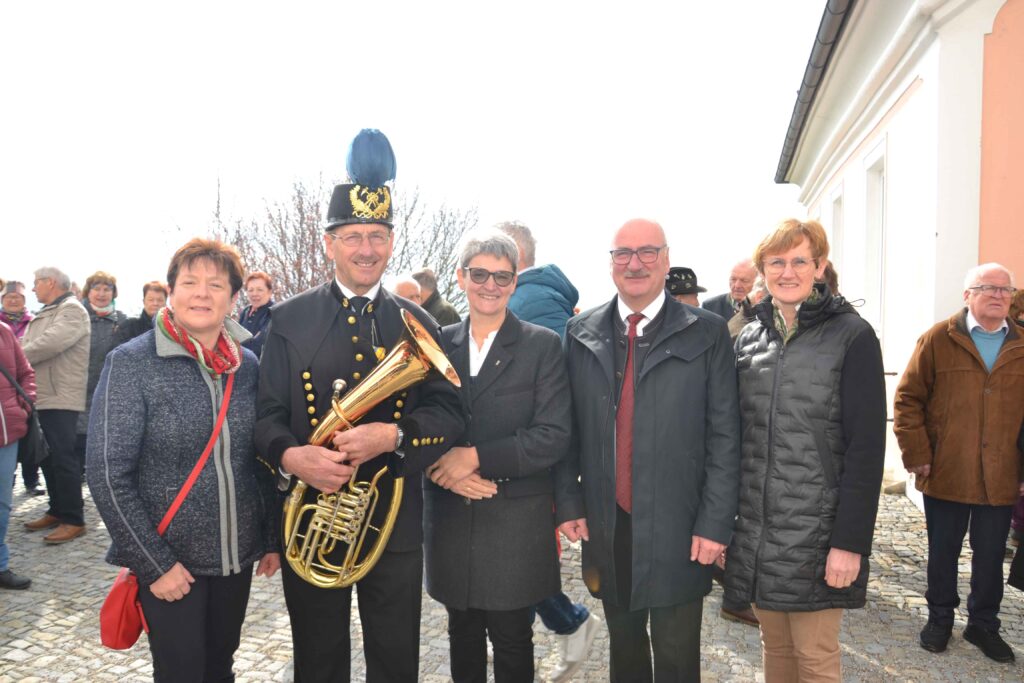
959,415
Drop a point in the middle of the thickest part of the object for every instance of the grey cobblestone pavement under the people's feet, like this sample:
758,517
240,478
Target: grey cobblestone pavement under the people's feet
51,632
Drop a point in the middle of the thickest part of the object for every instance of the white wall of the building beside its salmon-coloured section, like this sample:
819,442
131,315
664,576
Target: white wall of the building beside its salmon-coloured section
929,146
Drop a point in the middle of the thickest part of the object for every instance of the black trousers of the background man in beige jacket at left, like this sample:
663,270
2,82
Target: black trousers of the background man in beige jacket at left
64,477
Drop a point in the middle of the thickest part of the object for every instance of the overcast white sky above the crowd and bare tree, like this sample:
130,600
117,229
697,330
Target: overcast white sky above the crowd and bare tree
118,119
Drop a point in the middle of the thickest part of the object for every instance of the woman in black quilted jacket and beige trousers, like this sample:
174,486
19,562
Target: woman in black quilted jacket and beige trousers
814,407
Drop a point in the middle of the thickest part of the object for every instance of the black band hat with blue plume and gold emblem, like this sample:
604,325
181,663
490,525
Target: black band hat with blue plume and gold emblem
366,199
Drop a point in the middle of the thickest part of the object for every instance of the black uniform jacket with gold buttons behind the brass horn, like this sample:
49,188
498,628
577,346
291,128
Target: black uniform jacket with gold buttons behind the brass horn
314,340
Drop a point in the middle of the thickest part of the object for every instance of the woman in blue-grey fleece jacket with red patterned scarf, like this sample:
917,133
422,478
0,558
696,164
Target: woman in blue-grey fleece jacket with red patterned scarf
153,414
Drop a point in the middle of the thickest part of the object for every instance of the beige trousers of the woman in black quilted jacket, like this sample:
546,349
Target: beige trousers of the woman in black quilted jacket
801,648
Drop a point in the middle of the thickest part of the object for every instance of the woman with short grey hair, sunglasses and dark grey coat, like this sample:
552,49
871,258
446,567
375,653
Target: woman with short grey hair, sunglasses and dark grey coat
489,520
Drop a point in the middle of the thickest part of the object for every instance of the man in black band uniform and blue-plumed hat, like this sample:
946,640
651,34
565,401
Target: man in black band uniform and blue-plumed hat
340,331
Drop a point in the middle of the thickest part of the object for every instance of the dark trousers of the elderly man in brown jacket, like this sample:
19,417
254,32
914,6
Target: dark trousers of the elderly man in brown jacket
948,524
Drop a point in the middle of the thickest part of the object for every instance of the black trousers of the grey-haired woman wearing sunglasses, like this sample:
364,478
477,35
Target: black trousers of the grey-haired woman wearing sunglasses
511,633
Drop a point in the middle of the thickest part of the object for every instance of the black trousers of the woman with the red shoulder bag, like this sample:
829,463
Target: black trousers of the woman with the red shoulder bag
194,639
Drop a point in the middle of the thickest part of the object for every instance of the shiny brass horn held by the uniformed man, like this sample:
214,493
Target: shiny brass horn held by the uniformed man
318,530
